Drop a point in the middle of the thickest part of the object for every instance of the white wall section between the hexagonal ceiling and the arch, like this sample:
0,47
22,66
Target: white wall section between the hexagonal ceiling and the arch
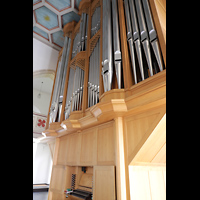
44,56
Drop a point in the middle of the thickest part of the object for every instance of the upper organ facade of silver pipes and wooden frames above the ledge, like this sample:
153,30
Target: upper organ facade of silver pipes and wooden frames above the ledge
92,60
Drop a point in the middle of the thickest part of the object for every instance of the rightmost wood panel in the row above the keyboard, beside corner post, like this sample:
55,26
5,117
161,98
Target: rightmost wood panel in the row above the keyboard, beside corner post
105,144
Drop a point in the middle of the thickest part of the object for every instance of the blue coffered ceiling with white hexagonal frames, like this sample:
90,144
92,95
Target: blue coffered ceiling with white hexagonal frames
49,18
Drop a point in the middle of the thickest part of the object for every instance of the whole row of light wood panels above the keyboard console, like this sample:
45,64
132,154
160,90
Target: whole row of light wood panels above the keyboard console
93,146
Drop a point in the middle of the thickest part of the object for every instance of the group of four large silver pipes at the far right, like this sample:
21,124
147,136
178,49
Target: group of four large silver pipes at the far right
140,21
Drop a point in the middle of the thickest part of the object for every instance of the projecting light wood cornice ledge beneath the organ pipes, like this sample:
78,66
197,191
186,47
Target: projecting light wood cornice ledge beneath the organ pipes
146,95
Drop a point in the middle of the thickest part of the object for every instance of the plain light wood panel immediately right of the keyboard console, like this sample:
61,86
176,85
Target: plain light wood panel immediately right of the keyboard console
104,183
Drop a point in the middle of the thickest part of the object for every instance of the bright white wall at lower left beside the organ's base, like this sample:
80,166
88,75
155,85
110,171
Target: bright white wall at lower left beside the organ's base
42,164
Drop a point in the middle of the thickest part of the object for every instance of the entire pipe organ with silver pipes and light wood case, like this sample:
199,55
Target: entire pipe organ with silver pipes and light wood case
108,106
